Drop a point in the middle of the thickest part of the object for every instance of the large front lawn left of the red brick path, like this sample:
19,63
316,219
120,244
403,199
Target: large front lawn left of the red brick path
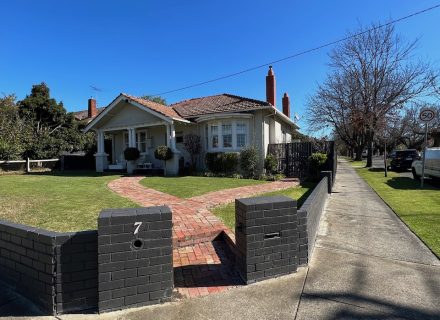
58,202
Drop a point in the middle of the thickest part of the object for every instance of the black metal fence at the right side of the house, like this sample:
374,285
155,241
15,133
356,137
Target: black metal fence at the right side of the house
293,158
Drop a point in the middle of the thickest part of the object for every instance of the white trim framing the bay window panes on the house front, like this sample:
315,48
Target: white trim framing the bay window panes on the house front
219,124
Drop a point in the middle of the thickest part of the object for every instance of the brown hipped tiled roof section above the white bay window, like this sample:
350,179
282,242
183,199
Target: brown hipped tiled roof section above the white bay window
217,104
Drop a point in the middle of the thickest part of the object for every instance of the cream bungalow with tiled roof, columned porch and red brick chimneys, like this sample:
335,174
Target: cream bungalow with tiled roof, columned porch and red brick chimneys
225,123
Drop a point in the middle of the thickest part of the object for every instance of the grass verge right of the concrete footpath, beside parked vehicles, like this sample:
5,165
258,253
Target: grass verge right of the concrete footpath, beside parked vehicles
419,209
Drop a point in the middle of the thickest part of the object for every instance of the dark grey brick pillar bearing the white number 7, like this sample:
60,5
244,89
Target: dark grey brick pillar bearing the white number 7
135,264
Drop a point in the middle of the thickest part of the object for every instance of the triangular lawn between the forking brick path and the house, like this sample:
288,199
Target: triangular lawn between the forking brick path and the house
187,187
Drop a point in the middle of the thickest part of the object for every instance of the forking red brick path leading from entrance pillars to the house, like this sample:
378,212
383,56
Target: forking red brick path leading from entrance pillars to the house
201,265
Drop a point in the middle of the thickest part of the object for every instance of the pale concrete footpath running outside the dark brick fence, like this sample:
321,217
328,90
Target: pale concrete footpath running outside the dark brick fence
366,265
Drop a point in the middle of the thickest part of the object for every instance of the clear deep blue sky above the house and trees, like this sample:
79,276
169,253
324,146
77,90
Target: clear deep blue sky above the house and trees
148,47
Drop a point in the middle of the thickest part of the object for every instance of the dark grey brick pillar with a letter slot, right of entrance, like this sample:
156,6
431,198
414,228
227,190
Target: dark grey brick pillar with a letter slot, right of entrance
266,237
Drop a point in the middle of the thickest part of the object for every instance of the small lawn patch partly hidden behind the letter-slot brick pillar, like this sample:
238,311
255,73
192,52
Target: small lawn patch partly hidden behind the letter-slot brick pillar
227,212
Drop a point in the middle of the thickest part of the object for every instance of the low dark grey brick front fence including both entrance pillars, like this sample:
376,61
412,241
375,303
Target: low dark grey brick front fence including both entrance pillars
128,261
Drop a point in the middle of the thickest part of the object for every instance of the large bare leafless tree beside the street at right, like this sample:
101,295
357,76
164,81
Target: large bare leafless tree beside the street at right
373,76
